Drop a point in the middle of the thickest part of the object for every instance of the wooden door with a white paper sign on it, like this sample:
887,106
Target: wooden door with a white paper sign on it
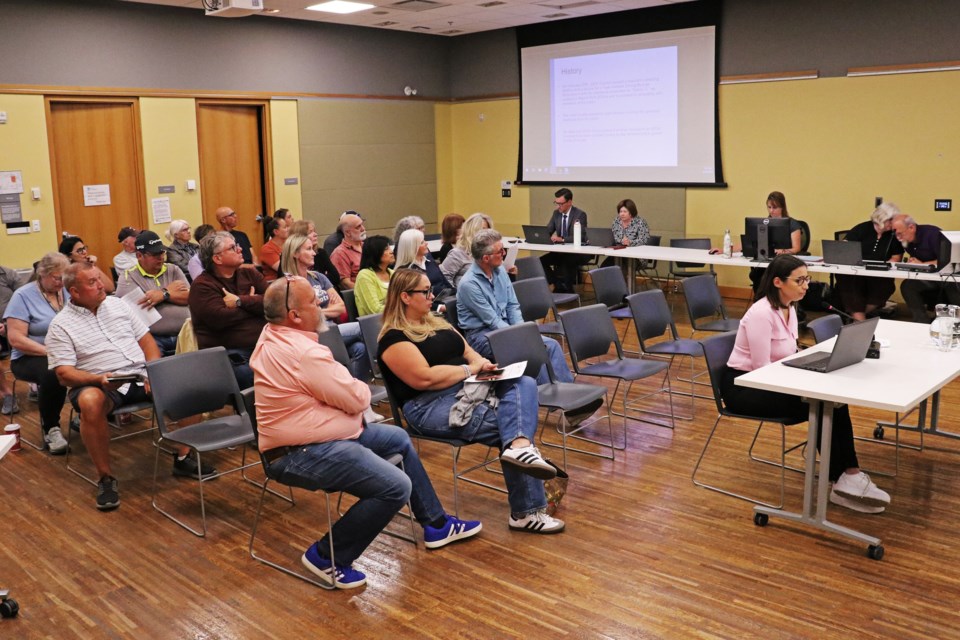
96,142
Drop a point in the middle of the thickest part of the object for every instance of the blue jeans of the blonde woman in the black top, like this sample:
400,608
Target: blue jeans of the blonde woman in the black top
515,417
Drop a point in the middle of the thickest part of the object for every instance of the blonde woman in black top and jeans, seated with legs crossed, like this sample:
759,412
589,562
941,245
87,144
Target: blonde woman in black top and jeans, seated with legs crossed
424,362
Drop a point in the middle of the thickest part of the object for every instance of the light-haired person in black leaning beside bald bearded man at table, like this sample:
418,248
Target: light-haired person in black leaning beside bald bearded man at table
861,295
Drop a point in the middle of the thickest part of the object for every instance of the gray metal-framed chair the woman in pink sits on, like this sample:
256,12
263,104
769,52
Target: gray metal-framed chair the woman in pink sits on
716,351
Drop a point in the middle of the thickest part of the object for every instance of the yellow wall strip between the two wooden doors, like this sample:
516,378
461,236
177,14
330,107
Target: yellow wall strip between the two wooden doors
171,157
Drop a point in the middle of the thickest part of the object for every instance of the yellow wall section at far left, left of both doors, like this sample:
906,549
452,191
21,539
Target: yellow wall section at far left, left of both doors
23,147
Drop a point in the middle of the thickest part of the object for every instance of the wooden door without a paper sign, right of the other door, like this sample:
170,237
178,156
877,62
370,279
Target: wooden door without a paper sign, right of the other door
234,167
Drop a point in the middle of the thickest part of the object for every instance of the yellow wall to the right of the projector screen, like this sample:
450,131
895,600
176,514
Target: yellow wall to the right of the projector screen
832,145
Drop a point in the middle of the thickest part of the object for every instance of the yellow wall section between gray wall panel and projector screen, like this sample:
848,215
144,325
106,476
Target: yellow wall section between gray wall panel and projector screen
482,154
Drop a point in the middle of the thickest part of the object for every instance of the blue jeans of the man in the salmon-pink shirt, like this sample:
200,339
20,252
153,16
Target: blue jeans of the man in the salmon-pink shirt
358,467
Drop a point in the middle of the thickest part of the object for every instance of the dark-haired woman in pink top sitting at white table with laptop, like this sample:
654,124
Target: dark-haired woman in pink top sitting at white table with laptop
768,333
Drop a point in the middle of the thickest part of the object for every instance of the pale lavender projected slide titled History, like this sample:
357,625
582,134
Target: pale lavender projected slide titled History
615,109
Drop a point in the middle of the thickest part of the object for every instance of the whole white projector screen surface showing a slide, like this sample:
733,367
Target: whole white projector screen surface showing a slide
630,109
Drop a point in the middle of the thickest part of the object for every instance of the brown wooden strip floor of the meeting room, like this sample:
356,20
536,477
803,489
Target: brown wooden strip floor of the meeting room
645,554
